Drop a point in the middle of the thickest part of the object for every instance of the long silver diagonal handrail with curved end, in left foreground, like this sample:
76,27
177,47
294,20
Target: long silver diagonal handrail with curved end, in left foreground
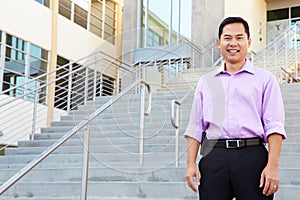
72,132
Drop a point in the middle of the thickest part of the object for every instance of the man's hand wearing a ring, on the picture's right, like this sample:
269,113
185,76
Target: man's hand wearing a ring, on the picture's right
270,180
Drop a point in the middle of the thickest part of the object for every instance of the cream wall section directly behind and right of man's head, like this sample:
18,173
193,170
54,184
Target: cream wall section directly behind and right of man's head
254,12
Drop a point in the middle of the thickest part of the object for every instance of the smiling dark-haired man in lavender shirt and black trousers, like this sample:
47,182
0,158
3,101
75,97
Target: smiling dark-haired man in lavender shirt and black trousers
236,110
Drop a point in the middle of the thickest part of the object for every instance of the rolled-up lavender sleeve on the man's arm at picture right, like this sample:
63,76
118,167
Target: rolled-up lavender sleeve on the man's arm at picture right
273,109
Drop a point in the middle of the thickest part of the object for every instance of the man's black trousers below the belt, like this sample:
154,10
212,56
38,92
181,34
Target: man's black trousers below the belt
228,173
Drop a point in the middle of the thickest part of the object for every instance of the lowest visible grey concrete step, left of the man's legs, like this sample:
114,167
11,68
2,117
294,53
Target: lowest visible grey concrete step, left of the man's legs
101,189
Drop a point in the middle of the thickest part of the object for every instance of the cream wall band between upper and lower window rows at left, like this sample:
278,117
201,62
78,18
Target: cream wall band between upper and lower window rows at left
31,21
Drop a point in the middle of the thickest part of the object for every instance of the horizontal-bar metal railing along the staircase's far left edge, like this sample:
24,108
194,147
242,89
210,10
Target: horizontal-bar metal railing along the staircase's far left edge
64,78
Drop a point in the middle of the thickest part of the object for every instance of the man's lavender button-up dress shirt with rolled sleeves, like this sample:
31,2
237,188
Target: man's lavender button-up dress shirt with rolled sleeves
243,105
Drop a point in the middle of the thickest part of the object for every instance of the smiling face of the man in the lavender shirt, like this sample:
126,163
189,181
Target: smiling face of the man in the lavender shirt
234,43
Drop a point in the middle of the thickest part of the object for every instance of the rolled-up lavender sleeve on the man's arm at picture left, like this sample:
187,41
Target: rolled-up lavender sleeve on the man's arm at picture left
195,126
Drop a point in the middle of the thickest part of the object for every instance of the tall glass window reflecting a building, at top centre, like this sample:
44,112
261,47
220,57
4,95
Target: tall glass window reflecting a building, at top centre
169,20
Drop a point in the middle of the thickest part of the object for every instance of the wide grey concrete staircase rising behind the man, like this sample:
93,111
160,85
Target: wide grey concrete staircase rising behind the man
114,170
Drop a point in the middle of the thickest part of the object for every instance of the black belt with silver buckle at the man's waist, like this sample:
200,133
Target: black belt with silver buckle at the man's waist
237,143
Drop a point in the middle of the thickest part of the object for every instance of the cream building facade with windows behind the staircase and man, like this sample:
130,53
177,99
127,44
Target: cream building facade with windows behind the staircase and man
37,36
